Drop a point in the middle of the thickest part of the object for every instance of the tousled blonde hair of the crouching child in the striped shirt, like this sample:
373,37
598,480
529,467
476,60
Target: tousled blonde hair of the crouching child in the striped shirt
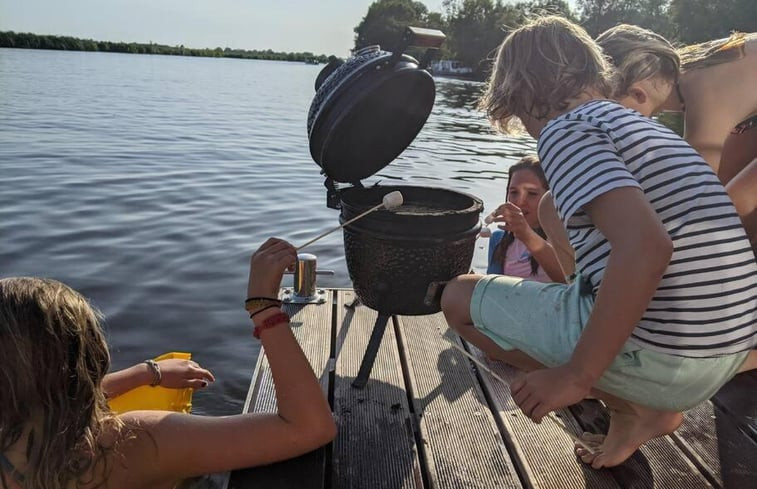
539,68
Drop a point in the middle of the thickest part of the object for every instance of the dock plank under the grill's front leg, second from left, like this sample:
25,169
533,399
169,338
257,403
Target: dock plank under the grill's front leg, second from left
375,445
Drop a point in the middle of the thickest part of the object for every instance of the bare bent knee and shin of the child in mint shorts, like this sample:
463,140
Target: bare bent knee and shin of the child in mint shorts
456,306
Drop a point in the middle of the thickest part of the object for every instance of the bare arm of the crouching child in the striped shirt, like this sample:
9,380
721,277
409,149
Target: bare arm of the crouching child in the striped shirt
641,251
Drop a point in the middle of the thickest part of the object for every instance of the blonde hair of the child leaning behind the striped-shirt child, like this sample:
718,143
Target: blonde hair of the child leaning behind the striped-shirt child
638,54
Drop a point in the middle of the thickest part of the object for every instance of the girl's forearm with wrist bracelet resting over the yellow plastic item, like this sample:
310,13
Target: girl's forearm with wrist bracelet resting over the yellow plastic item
176,373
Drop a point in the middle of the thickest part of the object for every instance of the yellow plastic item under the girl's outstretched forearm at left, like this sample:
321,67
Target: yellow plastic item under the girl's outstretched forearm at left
155,398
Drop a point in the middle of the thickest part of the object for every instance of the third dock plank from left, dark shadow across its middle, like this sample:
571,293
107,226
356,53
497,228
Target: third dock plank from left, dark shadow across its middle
461,447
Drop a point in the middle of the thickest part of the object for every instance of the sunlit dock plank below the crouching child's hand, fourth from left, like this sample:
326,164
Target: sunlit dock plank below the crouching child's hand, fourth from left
543,452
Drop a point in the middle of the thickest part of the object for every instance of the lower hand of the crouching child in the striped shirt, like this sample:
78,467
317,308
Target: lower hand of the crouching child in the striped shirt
542,391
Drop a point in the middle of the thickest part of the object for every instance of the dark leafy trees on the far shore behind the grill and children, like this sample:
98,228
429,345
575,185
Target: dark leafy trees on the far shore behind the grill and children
475,28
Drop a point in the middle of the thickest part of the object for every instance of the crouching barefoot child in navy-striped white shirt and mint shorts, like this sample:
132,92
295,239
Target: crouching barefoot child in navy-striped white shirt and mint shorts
663,310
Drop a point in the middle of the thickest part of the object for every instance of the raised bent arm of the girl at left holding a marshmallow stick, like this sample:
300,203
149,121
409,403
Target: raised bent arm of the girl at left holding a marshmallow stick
178,446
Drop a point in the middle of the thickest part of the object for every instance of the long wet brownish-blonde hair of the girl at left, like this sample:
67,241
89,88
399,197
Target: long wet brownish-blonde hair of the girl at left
53,357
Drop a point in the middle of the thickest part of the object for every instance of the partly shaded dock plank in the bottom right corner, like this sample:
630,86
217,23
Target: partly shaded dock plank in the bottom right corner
716,445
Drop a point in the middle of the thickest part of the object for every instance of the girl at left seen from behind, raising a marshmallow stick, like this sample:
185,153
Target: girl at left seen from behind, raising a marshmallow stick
56,431
